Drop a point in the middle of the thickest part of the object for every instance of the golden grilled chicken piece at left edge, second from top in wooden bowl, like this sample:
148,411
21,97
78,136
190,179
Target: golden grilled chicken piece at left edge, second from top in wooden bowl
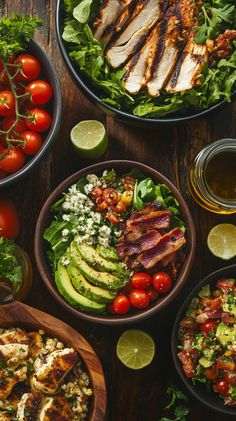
14,354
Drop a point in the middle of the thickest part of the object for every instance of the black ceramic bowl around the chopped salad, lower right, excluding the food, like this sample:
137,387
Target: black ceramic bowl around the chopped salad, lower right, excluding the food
200,391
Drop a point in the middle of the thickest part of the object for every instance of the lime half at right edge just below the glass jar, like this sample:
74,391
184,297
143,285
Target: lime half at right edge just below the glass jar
221,241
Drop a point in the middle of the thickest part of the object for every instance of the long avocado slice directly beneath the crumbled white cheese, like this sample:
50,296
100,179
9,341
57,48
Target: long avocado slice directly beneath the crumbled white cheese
93,258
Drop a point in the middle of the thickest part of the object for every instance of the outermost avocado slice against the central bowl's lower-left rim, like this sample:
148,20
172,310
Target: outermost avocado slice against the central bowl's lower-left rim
66,289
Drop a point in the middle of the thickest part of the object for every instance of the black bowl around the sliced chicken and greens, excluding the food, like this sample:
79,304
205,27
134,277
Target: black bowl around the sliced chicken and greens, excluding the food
87,88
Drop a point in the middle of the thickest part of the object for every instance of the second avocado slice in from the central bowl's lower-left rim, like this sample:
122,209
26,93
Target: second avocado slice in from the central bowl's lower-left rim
86,289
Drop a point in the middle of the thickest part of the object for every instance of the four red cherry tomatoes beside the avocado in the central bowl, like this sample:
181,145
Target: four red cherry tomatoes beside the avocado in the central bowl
140,292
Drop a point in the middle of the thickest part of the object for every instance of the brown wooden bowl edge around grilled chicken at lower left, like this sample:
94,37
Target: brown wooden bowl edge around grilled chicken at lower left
18,314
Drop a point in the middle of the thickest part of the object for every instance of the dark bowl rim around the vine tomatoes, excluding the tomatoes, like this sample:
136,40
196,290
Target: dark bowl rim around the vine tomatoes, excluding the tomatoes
48,73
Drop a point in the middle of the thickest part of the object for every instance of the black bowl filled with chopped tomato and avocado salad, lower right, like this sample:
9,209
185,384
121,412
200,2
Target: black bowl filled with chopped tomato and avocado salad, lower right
218,396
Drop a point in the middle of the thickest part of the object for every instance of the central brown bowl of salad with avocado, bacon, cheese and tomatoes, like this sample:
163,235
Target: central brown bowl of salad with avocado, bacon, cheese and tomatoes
117,278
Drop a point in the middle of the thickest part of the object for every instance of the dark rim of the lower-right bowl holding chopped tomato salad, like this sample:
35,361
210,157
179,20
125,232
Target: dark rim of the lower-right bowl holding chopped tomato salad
210,278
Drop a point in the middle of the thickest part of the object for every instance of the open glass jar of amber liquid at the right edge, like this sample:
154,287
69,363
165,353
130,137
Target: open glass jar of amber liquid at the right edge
198,186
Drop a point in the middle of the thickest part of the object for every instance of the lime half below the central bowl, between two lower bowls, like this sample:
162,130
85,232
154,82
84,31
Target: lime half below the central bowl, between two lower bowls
135,349
